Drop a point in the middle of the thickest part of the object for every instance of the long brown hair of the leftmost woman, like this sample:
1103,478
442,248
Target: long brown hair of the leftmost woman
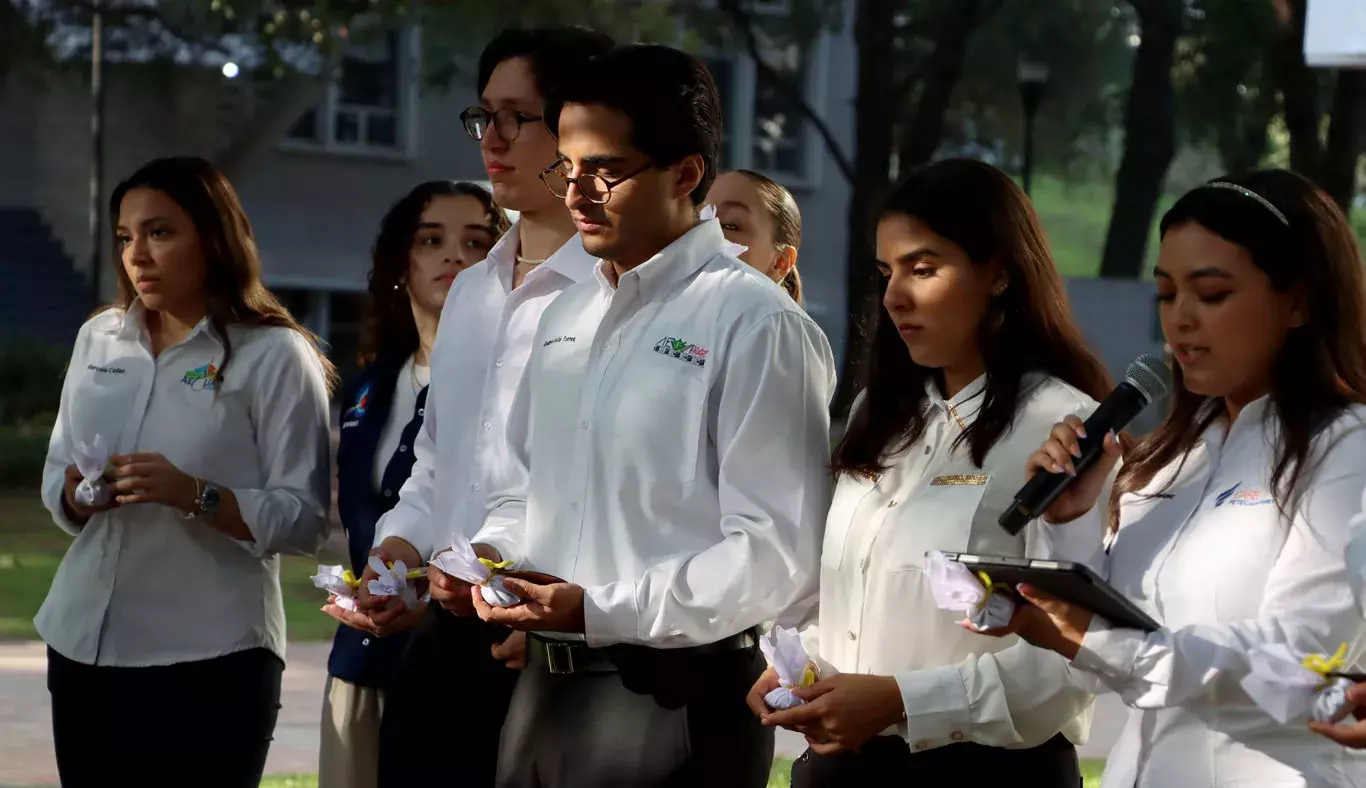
233,267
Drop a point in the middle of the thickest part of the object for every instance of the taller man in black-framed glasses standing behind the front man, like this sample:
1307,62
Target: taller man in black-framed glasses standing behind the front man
487,327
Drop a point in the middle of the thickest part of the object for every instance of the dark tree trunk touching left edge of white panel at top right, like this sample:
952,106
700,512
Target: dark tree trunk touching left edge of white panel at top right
1298,89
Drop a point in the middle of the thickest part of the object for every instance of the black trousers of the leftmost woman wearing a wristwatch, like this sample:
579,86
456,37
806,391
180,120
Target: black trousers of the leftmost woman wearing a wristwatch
207,723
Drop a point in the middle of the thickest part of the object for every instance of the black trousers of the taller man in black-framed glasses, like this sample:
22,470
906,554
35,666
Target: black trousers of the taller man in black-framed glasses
445,708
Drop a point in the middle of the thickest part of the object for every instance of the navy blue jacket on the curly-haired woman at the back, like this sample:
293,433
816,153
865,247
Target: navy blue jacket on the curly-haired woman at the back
360,658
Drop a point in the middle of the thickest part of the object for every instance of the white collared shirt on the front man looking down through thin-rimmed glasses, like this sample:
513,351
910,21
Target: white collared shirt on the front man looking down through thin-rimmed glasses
671,440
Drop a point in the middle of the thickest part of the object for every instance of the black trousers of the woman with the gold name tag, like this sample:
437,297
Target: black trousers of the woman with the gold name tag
889,761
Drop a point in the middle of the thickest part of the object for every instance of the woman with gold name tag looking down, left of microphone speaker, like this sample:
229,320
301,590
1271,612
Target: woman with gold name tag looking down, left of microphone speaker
976,350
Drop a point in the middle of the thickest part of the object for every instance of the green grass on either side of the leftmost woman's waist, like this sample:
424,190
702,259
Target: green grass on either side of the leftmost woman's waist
32,547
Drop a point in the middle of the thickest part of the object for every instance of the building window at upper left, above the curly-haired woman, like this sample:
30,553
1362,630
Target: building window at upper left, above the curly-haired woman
370,104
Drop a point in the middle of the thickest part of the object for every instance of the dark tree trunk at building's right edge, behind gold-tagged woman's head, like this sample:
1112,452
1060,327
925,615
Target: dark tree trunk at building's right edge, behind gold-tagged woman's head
874,121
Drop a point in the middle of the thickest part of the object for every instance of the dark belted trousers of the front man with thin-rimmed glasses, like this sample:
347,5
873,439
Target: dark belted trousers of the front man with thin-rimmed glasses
659,720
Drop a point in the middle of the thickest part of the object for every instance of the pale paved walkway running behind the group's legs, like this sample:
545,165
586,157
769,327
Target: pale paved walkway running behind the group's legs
27,726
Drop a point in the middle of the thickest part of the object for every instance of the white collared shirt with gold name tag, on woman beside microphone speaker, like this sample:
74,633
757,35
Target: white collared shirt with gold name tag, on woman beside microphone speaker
878,614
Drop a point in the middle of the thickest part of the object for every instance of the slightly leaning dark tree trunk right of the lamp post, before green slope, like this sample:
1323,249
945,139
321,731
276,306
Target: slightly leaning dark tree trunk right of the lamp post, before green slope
1149,141
